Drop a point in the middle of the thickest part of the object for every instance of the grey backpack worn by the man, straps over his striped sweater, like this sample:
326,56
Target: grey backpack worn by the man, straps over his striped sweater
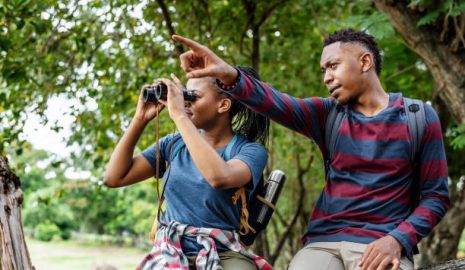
416,122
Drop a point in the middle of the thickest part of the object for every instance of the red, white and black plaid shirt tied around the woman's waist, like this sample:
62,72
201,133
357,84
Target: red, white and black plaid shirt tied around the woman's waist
167,252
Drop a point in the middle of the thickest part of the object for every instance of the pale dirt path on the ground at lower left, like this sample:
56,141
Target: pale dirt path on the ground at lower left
70,256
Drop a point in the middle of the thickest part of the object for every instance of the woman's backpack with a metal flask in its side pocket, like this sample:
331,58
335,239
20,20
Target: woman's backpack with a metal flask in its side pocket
256,211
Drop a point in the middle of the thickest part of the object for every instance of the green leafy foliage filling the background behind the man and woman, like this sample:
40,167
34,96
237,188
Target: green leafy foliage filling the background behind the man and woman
100,53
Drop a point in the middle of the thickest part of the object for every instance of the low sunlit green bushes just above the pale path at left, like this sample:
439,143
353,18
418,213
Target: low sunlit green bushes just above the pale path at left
81,205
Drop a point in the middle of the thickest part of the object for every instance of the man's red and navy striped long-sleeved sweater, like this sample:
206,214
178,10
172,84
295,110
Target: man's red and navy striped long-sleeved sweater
368,188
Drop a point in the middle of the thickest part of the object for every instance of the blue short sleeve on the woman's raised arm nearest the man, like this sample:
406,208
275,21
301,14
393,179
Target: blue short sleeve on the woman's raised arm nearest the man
254,156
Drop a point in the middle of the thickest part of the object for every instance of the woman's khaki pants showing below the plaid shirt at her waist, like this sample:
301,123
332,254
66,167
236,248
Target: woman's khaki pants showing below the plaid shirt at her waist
230,260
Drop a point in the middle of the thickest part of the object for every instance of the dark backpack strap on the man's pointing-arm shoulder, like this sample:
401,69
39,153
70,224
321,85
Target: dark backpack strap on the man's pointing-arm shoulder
333,122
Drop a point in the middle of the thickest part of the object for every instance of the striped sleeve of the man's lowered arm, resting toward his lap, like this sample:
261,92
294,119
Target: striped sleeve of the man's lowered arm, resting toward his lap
434,199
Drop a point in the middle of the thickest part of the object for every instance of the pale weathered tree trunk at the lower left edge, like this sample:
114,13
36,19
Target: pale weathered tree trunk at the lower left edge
13,251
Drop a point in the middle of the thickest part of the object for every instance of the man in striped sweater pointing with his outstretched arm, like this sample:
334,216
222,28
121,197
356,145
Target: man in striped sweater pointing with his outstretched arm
364,217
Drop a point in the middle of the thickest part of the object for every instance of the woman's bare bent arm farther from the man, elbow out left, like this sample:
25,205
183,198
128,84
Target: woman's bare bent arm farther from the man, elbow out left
123,169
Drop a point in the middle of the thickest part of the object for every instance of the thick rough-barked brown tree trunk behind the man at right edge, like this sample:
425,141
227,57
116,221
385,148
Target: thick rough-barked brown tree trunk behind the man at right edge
447,66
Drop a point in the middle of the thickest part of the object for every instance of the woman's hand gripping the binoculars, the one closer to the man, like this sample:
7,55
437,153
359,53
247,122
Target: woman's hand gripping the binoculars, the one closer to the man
175,98
